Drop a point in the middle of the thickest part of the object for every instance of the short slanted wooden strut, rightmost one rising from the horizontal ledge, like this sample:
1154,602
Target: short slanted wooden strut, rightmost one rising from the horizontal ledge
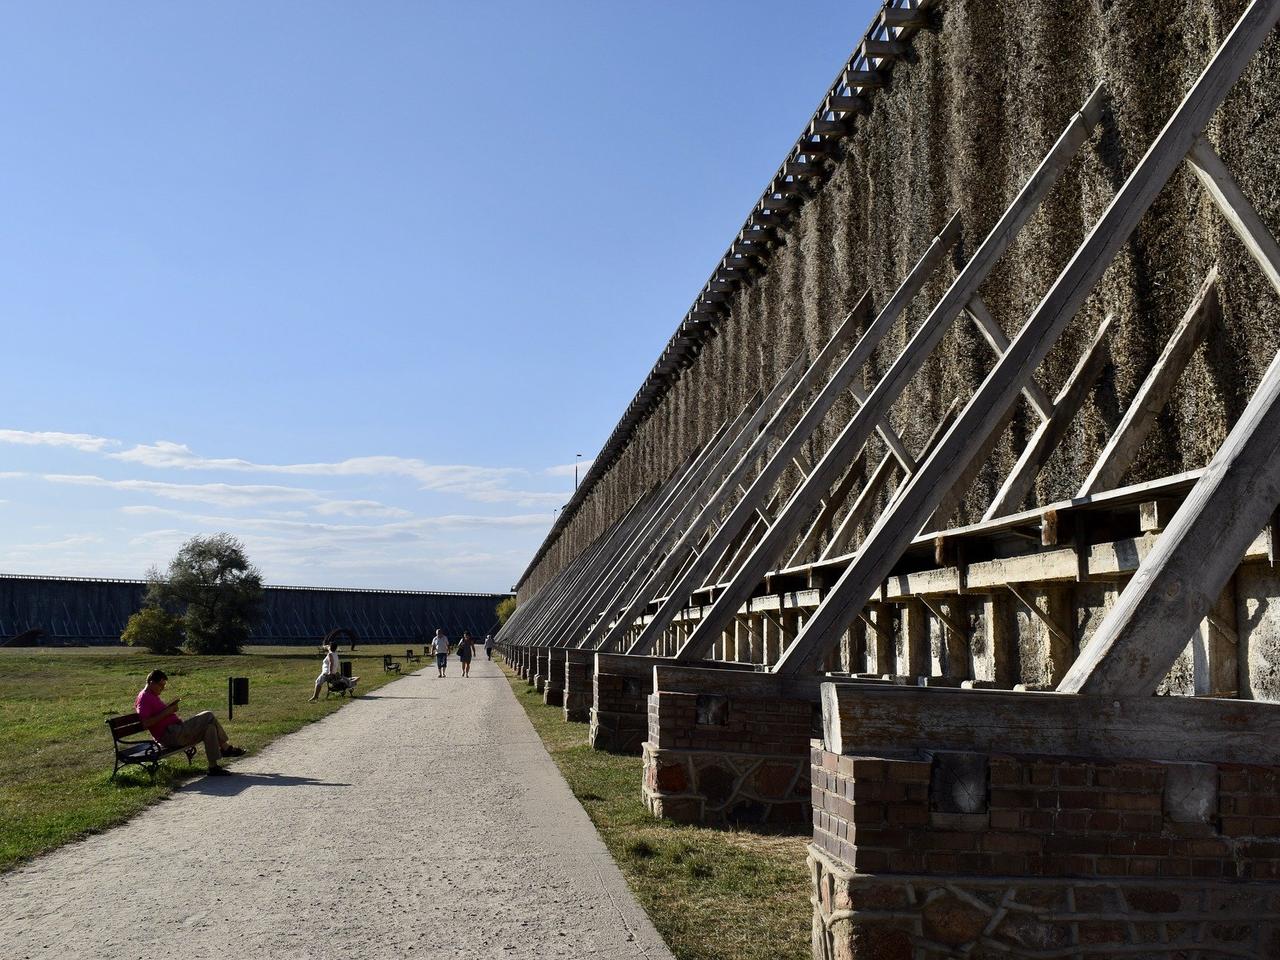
1119,454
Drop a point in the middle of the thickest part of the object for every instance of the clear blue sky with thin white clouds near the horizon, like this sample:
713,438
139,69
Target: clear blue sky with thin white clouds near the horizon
356,282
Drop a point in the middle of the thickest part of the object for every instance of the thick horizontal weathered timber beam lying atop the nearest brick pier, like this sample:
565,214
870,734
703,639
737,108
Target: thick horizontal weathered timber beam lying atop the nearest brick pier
886,719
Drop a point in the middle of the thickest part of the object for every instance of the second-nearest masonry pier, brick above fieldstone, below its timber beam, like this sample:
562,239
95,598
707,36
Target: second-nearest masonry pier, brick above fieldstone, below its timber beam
728,760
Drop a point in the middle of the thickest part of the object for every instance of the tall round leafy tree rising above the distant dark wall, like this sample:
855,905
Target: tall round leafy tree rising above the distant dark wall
214,589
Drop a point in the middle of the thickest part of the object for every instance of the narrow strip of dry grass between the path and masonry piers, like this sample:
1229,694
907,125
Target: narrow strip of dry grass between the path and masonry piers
712,894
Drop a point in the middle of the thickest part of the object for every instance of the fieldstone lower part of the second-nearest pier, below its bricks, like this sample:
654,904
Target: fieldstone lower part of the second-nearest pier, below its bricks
703,787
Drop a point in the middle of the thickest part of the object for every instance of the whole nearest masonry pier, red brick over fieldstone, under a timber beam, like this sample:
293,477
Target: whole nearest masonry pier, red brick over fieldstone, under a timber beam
944,856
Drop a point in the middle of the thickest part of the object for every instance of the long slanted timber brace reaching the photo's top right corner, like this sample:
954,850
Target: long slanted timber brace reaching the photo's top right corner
990,404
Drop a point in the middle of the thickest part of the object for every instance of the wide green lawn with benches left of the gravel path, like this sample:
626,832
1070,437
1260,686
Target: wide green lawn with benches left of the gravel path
56,751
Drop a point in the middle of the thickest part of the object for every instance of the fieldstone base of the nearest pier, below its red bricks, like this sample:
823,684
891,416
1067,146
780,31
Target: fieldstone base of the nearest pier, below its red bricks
888,917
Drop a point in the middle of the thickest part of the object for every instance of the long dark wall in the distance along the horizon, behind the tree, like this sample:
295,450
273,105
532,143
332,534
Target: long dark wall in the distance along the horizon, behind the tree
71,611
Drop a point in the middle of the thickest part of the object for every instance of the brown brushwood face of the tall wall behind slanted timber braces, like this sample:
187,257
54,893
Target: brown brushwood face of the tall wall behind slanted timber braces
962,120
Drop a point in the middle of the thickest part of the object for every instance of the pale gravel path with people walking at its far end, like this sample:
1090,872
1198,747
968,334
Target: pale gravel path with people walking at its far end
423,821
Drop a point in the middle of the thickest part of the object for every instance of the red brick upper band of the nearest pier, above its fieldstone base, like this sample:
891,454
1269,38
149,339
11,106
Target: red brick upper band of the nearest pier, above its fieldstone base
1048,817
